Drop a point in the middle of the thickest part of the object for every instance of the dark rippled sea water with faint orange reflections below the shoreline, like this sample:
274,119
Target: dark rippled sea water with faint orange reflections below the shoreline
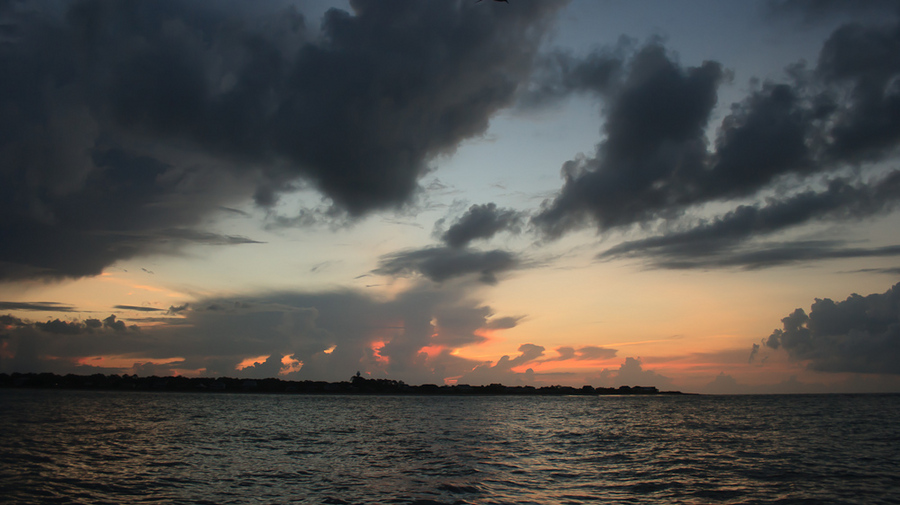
94,447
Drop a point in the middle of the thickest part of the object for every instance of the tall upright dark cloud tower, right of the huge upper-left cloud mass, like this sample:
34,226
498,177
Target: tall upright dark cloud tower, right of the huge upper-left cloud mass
654,145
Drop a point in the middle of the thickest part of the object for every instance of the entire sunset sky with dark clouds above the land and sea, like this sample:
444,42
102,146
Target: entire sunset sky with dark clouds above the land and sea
694,195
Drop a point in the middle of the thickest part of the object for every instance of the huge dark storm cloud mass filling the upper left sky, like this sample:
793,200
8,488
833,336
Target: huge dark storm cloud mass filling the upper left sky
123,121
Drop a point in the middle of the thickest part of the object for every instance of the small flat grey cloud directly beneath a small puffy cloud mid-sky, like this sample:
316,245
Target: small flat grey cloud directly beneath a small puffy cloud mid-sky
443,263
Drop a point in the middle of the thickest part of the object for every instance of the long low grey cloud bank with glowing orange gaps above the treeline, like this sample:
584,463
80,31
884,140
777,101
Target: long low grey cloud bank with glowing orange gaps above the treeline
333,334
